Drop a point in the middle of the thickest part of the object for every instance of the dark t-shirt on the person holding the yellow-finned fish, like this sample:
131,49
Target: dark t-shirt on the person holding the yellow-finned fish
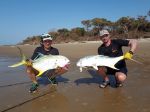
40,50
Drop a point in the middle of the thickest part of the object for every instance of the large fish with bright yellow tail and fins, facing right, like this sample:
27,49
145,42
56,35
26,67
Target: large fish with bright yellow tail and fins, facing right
45,62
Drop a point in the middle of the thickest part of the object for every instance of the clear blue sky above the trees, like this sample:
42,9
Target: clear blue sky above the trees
20,19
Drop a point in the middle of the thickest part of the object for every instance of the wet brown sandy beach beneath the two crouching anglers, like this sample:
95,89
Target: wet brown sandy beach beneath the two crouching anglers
76,92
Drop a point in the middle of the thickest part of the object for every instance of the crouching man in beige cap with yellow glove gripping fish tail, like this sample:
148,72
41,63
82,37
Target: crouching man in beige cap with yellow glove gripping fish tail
113,48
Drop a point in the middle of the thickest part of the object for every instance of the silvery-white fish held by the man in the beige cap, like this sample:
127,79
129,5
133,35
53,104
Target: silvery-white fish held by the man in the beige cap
98,60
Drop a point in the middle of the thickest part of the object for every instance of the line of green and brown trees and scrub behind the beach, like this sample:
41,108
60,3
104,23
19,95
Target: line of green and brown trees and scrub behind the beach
124,27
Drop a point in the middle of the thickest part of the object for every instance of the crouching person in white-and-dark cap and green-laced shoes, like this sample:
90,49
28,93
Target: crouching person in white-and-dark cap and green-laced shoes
44,49
